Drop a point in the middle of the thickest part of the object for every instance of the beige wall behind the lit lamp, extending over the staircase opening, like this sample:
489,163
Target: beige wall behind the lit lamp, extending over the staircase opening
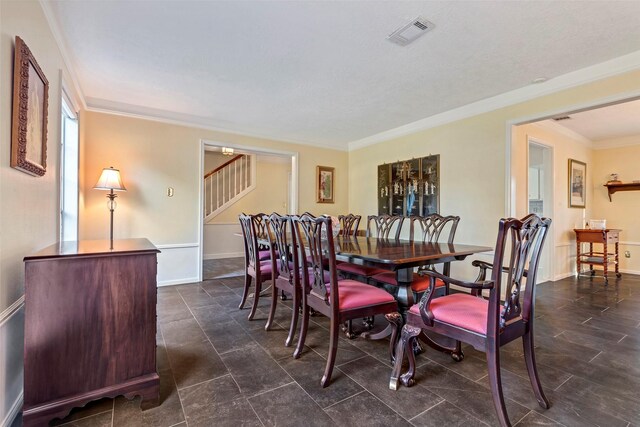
152,156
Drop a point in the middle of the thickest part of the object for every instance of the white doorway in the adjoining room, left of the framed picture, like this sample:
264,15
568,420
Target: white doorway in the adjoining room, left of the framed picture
540,199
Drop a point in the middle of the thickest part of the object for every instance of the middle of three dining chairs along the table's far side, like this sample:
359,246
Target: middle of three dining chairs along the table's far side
380,227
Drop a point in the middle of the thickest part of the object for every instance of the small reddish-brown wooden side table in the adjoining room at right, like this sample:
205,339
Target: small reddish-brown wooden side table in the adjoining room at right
606,238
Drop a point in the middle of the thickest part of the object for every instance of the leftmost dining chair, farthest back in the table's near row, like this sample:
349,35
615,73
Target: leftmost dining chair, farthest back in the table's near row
255,269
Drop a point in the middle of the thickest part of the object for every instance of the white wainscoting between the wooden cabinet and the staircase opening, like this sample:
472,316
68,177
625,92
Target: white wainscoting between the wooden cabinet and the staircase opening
178,264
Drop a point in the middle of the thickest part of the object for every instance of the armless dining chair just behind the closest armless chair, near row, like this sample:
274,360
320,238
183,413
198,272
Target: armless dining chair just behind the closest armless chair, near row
285,269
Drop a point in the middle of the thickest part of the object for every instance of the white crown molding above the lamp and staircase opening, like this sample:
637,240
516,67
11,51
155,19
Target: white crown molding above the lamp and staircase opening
167,117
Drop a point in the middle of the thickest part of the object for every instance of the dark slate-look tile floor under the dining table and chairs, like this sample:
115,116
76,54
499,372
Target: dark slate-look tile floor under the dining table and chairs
219,369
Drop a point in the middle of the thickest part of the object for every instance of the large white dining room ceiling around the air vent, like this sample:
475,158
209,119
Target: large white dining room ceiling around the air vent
322,72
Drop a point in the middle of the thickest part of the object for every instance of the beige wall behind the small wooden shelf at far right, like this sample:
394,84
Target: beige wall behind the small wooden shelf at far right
624,209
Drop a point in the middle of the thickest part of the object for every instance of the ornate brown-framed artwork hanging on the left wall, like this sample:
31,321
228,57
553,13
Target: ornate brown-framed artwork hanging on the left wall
29,121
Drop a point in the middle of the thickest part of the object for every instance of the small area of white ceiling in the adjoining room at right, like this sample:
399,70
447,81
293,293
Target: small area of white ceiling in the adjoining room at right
606,123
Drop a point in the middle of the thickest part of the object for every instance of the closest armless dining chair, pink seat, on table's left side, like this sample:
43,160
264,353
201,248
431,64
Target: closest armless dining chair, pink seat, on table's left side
340,300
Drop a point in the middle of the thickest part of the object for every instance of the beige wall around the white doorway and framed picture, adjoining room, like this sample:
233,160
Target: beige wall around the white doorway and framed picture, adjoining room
565,218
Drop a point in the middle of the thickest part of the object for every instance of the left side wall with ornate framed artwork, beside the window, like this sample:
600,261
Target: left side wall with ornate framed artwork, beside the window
29,205
